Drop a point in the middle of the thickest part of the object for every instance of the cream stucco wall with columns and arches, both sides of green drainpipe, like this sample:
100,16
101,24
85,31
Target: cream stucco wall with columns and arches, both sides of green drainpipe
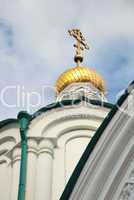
56,141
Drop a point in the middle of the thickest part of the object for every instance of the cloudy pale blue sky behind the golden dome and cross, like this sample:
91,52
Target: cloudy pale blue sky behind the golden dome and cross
35,47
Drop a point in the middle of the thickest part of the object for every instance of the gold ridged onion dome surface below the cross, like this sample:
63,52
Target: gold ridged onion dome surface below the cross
80,74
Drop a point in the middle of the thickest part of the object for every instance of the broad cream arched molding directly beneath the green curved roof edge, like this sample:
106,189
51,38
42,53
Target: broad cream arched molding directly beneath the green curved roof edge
61,120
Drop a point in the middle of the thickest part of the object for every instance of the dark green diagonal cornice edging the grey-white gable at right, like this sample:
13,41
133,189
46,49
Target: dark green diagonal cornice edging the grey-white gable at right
73,180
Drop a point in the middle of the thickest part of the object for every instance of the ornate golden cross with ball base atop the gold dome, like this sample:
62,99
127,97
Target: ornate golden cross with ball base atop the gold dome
80,45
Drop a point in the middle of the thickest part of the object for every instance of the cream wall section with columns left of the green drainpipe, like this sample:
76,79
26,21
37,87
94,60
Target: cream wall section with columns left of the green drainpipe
9,161
